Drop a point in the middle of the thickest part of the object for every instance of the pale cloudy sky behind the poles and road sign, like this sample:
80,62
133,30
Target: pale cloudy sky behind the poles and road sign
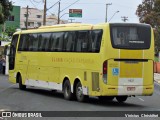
93,11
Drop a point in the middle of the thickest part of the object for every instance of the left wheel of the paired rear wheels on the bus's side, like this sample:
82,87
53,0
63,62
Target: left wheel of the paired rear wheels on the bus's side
67,90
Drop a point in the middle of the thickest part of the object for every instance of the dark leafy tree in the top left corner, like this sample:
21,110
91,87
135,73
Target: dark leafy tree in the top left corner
5,8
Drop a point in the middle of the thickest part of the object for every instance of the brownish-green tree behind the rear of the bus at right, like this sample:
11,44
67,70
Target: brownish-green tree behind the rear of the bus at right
149,12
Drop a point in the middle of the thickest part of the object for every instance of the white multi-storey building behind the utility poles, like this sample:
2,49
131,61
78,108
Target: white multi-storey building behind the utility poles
35,18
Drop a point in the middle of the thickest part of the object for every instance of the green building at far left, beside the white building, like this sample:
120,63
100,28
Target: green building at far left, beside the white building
13,20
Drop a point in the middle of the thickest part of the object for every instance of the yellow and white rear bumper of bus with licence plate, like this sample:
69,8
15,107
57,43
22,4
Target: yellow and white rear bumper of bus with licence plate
128,90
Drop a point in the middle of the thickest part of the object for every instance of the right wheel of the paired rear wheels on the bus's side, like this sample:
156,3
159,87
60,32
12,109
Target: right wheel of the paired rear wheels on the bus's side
79,93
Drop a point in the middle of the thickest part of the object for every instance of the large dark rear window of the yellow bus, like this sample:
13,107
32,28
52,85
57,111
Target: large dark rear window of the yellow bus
126,36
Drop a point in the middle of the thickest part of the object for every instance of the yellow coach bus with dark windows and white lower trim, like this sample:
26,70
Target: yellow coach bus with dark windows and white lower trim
110,60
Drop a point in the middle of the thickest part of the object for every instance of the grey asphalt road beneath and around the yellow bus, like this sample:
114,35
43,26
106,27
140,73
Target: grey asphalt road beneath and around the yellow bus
36,99
